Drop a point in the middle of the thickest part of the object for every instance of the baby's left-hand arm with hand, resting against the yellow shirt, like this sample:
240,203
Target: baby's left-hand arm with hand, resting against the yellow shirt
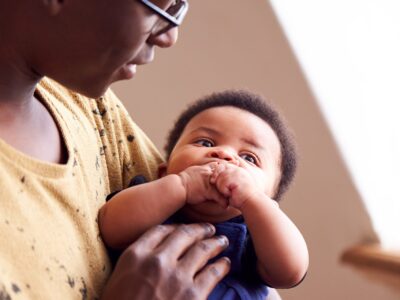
134,210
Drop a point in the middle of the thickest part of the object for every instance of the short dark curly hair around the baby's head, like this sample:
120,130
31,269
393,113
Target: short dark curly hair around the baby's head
256,105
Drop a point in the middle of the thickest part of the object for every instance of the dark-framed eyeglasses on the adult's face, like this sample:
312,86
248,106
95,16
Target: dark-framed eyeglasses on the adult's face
169,18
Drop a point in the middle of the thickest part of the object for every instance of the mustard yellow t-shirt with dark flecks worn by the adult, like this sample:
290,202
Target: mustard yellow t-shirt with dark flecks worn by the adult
50,246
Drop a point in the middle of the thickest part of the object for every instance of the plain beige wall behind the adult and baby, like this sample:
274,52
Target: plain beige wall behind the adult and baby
232,43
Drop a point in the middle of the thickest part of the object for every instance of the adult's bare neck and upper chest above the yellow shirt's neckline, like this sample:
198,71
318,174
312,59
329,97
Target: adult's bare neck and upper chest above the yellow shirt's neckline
25,123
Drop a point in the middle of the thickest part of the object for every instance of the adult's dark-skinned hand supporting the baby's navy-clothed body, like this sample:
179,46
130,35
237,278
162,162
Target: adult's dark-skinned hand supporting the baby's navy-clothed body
169,262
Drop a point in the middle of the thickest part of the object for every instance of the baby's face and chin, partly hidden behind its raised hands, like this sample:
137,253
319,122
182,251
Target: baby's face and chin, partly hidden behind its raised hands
236,136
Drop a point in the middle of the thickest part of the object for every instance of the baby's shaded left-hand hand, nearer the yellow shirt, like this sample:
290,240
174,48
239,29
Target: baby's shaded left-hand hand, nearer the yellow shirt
196,180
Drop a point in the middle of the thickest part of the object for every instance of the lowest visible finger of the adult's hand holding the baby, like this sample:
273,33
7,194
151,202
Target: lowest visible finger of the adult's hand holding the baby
208,278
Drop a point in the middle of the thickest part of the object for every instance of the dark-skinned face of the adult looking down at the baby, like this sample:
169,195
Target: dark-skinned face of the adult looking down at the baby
102,41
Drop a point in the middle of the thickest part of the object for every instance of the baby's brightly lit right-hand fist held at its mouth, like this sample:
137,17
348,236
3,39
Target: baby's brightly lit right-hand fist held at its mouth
234,182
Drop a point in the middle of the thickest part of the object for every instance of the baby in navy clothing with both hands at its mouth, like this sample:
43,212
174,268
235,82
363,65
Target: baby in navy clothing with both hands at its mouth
229,159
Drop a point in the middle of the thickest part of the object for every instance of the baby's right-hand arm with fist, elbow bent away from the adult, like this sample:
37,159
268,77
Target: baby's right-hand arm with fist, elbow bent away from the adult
282,255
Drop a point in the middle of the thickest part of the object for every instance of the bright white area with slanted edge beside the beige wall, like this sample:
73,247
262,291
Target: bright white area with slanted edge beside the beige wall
351,60
